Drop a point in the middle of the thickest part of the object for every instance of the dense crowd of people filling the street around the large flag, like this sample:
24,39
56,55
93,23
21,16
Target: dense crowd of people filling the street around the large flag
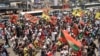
27,38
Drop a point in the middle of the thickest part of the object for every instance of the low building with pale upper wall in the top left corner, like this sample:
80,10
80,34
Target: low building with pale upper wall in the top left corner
13,6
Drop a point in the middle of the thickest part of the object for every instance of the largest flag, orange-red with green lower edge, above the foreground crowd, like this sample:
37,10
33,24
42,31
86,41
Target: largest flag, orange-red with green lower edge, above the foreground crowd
71,41
